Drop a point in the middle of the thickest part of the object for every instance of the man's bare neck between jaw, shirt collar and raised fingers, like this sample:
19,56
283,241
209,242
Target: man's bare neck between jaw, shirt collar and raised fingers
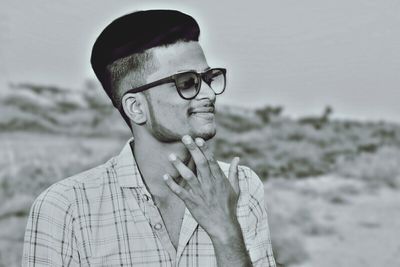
152,158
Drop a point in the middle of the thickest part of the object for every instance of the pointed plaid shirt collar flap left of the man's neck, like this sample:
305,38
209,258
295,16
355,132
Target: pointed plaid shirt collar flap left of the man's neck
126,168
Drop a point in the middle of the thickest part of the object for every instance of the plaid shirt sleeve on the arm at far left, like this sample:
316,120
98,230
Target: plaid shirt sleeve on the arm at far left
49,235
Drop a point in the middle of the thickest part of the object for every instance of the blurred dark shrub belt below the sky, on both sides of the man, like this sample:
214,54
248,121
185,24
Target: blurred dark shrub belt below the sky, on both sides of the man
273,145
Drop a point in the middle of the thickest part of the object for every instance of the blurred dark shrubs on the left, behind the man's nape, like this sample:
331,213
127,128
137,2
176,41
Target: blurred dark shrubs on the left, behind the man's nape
50,109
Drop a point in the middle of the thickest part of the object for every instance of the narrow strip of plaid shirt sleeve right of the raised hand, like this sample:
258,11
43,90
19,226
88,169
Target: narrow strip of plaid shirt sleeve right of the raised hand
260,247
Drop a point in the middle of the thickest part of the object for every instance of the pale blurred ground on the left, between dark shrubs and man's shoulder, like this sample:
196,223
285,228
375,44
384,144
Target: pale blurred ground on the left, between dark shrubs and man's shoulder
31,163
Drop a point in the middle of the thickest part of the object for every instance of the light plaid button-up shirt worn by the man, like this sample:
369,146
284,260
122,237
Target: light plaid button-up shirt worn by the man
106,217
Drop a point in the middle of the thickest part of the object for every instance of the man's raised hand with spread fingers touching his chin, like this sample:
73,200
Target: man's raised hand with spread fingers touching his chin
210,197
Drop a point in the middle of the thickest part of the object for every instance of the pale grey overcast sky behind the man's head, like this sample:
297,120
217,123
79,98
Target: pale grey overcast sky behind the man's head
302,55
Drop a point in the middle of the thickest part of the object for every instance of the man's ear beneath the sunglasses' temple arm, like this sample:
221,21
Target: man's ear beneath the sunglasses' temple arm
134,108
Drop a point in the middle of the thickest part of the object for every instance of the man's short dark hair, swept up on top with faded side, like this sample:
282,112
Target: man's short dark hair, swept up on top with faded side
123,43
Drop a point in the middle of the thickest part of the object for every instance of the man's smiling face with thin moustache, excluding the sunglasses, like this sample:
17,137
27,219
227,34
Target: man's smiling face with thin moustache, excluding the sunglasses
170,116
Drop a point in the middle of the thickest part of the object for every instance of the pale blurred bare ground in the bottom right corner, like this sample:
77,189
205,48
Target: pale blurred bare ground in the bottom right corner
368,233
